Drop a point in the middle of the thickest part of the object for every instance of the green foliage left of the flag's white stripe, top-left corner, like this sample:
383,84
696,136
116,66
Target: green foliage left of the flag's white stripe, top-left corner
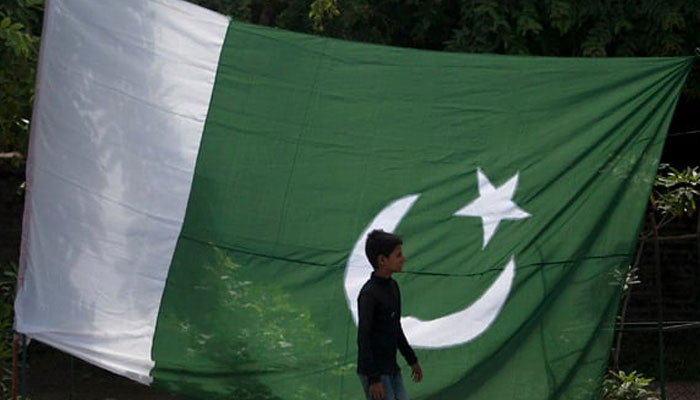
20,24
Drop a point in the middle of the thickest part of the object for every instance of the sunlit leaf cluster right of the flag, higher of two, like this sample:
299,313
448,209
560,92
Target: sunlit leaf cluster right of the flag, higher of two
676,192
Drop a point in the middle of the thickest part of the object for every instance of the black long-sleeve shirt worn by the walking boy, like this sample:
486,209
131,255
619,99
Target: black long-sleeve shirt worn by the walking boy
379,329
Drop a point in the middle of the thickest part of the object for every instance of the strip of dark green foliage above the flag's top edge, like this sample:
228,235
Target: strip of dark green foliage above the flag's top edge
596,28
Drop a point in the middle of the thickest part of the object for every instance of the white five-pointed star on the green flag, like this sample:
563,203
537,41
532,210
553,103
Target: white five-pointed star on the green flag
493,205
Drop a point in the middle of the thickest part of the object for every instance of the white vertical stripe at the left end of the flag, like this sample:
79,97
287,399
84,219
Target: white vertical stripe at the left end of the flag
122,96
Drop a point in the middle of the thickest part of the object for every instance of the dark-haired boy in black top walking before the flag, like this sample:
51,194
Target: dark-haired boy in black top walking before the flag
379,327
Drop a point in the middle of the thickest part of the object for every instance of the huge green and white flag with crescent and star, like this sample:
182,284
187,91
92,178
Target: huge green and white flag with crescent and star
199,191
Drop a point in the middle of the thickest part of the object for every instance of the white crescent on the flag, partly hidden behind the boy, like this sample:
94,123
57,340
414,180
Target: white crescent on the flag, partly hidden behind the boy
450,330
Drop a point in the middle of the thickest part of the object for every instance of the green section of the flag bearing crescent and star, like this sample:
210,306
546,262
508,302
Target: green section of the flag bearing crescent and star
517,183
